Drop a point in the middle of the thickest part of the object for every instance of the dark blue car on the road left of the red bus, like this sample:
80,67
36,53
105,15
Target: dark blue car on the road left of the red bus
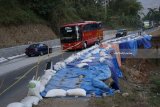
37,49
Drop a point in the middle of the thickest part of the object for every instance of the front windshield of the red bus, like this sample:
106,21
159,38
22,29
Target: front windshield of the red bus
69,34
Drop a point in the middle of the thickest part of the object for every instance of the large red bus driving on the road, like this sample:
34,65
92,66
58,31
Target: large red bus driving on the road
80,35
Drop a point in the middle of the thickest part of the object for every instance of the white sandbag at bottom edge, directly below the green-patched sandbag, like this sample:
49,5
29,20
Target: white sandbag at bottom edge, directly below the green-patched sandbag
30,100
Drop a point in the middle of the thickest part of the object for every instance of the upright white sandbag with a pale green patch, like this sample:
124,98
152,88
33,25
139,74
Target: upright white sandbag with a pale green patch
34,88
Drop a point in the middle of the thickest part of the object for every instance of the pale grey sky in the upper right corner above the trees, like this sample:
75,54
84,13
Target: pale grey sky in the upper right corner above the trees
149,4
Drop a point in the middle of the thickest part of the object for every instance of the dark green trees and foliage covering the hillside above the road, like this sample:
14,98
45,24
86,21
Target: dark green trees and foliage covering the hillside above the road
58,12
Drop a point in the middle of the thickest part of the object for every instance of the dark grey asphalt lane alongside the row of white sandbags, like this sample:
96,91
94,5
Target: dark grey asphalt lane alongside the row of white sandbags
19,91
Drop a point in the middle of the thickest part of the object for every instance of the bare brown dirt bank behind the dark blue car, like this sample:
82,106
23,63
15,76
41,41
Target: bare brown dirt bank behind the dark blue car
23,34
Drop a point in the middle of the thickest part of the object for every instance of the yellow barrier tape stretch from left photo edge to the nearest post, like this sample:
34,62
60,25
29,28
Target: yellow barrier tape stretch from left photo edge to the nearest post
17,80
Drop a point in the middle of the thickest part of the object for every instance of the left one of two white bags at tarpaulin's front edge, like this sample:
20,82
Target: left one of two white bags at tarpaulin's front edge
56,93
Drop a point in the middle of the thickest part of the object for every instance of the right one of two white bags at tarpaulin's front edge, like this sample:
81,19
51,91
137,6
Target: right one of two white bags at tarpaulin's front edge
76,92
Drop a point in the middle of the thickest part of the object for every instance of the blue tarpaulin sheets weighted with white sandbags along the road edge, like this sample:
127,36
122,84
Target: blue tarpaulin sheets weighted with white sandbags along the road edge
96,72
